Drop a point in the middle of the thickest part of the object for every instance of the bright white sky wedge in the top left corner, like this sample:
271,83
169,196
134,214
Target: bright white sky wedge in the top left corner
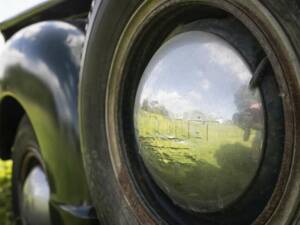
13,7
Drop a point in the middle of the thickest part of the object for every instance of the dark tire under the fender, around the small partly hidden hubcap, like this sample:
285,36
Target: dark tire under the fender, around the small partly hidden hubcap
26,156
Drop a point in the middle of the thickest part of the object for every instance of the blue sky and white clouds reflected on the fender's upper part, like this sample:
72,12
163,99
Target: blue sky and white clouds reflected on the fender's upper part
50,51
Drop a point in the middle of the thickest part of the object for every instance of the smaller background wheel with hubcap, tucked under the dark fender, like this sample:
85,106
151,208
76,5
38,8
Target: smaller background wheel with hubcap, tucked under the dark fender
30,186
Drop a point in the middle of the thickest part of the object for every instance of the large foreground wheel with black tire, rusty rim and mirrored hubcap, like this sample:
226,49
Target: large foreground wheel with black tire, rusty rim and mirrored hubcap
189,114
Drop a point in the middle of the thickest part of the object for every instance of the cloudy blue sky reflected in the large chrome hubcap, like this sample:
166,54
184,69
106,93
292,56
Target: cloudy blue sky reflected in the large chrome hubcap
200,70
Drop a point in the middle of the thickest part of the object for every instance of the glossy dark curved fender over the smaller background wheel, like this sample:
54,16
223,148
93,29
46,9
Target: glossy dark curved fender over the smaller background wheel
40,68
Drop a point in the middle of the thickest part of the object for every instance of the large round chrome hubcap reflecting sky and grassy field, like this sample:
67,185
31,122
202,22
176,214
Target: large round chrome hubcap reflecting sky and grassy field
199,125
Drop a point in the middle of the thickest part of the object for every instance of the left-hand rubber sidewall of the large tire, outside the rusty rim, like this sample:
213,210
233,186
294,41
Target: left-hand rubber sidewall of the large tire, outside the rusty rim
110,16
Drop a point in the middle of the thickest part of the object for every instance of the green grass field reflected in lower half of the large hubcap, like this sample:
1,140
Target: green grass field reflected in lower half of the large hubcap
200,161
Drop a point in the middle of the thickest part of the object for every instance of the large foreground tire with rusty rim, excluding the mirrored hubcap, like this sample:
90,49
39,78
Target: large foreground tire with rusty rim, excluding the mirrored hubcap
122,37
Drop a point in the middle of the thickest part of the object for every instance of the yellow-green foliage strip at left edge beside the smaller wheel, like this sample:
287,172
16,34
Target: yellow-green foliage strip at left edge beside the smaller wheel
5,193
